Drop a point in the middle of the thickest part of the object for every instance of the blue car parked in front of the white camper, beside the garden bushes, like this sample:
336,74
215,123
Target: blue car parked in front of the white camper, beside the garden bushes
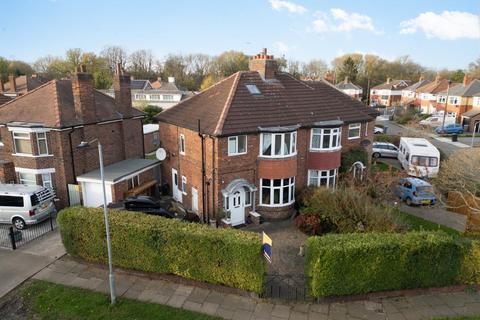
415,191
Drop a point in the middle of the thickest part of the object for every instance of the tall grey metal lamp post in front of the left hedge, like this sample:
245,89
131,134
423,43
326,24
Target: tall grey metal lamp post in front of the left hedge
111,276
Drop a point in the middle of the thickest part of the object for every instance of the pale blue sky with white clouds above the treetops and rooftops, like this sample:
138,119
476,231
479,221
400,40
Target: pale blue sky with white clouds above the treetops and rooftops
436,34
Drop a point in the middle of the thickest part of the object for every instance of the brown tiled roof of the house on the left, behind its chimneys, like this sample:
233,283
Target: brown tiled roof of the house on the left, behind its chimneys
52,105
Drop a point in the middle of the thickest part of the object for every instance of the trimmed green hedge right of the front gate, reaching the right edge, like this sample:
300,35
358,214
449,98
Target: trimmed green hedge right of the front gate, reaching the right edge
345,264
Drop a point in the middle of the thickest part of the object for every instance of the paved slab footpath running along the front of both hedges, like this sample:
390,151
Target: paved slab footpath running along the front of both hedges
426,305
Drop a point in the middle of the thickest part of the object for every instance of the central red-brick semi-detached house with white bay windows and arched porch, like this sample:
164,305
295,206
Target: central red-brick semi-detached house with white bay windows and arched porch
243,147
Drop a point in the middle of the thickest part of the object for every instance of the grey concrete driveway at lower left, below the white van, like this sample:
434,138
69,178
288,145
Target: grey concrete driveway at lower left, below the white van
16,266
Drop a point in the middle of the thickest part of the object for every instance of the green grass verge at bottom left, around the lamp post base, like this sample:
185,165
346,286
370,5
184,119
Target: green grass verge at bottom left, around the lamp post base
46,300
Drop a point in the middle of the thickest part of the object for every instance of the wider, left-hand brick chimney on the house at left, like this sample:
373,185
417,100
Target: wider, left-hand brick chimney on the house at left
83,95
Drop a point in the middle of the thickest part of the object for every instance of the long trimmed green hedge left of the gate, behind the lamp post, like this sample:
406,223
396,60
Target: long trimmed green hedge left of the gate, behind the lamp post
148,243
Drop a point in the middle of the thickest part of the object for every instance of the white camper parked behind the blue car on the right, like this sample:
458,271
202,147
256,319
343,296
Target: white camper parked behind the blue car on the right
419,157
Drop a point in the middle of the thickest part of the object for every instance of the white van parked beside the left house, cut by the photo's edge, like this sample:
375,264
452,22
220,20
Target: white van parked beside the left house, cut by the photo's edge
23,205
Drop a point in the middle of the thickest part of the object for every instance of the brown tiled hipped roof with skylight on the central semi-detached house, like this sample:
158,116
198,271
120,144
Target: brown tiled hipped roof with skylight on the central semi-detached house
228,107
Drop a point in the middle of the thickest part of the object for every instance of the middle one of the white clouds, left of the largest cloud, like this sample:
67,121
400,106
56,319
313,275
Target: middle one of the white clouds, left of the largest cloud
339,20
